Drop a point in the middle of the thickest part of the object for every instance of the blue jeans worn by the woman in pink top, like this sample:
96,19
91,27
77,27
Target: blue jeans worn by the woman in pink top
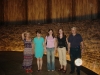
50,59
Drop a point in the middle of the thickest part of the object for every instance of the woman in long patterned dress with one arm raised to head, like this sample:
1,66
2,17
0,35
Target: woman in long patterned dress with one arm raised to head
28,52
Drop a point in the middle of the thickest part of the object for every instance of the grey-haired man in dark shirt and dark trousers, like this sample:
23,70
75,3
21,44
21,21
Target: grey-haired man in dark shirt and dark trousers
75,47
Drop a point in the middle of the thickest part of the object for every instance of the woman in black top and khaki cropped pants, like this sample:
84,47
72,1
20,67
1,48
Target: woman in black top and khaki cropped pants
62,40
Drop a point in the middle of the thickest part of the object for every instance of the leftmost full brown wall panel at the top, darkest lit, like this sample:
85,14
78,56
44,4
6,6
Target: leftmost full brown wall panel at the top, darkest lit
15,10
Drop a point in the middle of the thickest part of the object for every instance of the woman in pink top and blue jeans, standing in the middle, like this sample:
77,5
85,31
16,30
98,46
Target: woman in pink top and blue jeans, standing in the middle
50,47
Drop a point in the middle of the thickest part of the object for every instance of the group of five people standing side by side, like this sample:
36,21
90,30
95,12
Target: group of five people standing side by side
50,45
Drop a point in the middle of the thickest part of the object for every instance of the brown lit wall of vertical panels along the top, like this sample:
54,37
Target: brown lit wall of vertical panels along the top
47,11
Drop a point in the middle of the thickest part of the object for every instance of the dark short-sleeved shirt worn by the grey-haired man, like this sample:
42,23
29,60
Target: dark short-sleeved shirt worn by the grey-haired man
75,40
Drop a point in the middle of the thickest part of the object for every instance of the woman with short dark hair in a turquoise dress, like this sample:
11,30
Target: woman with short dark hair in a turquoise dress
38,43
